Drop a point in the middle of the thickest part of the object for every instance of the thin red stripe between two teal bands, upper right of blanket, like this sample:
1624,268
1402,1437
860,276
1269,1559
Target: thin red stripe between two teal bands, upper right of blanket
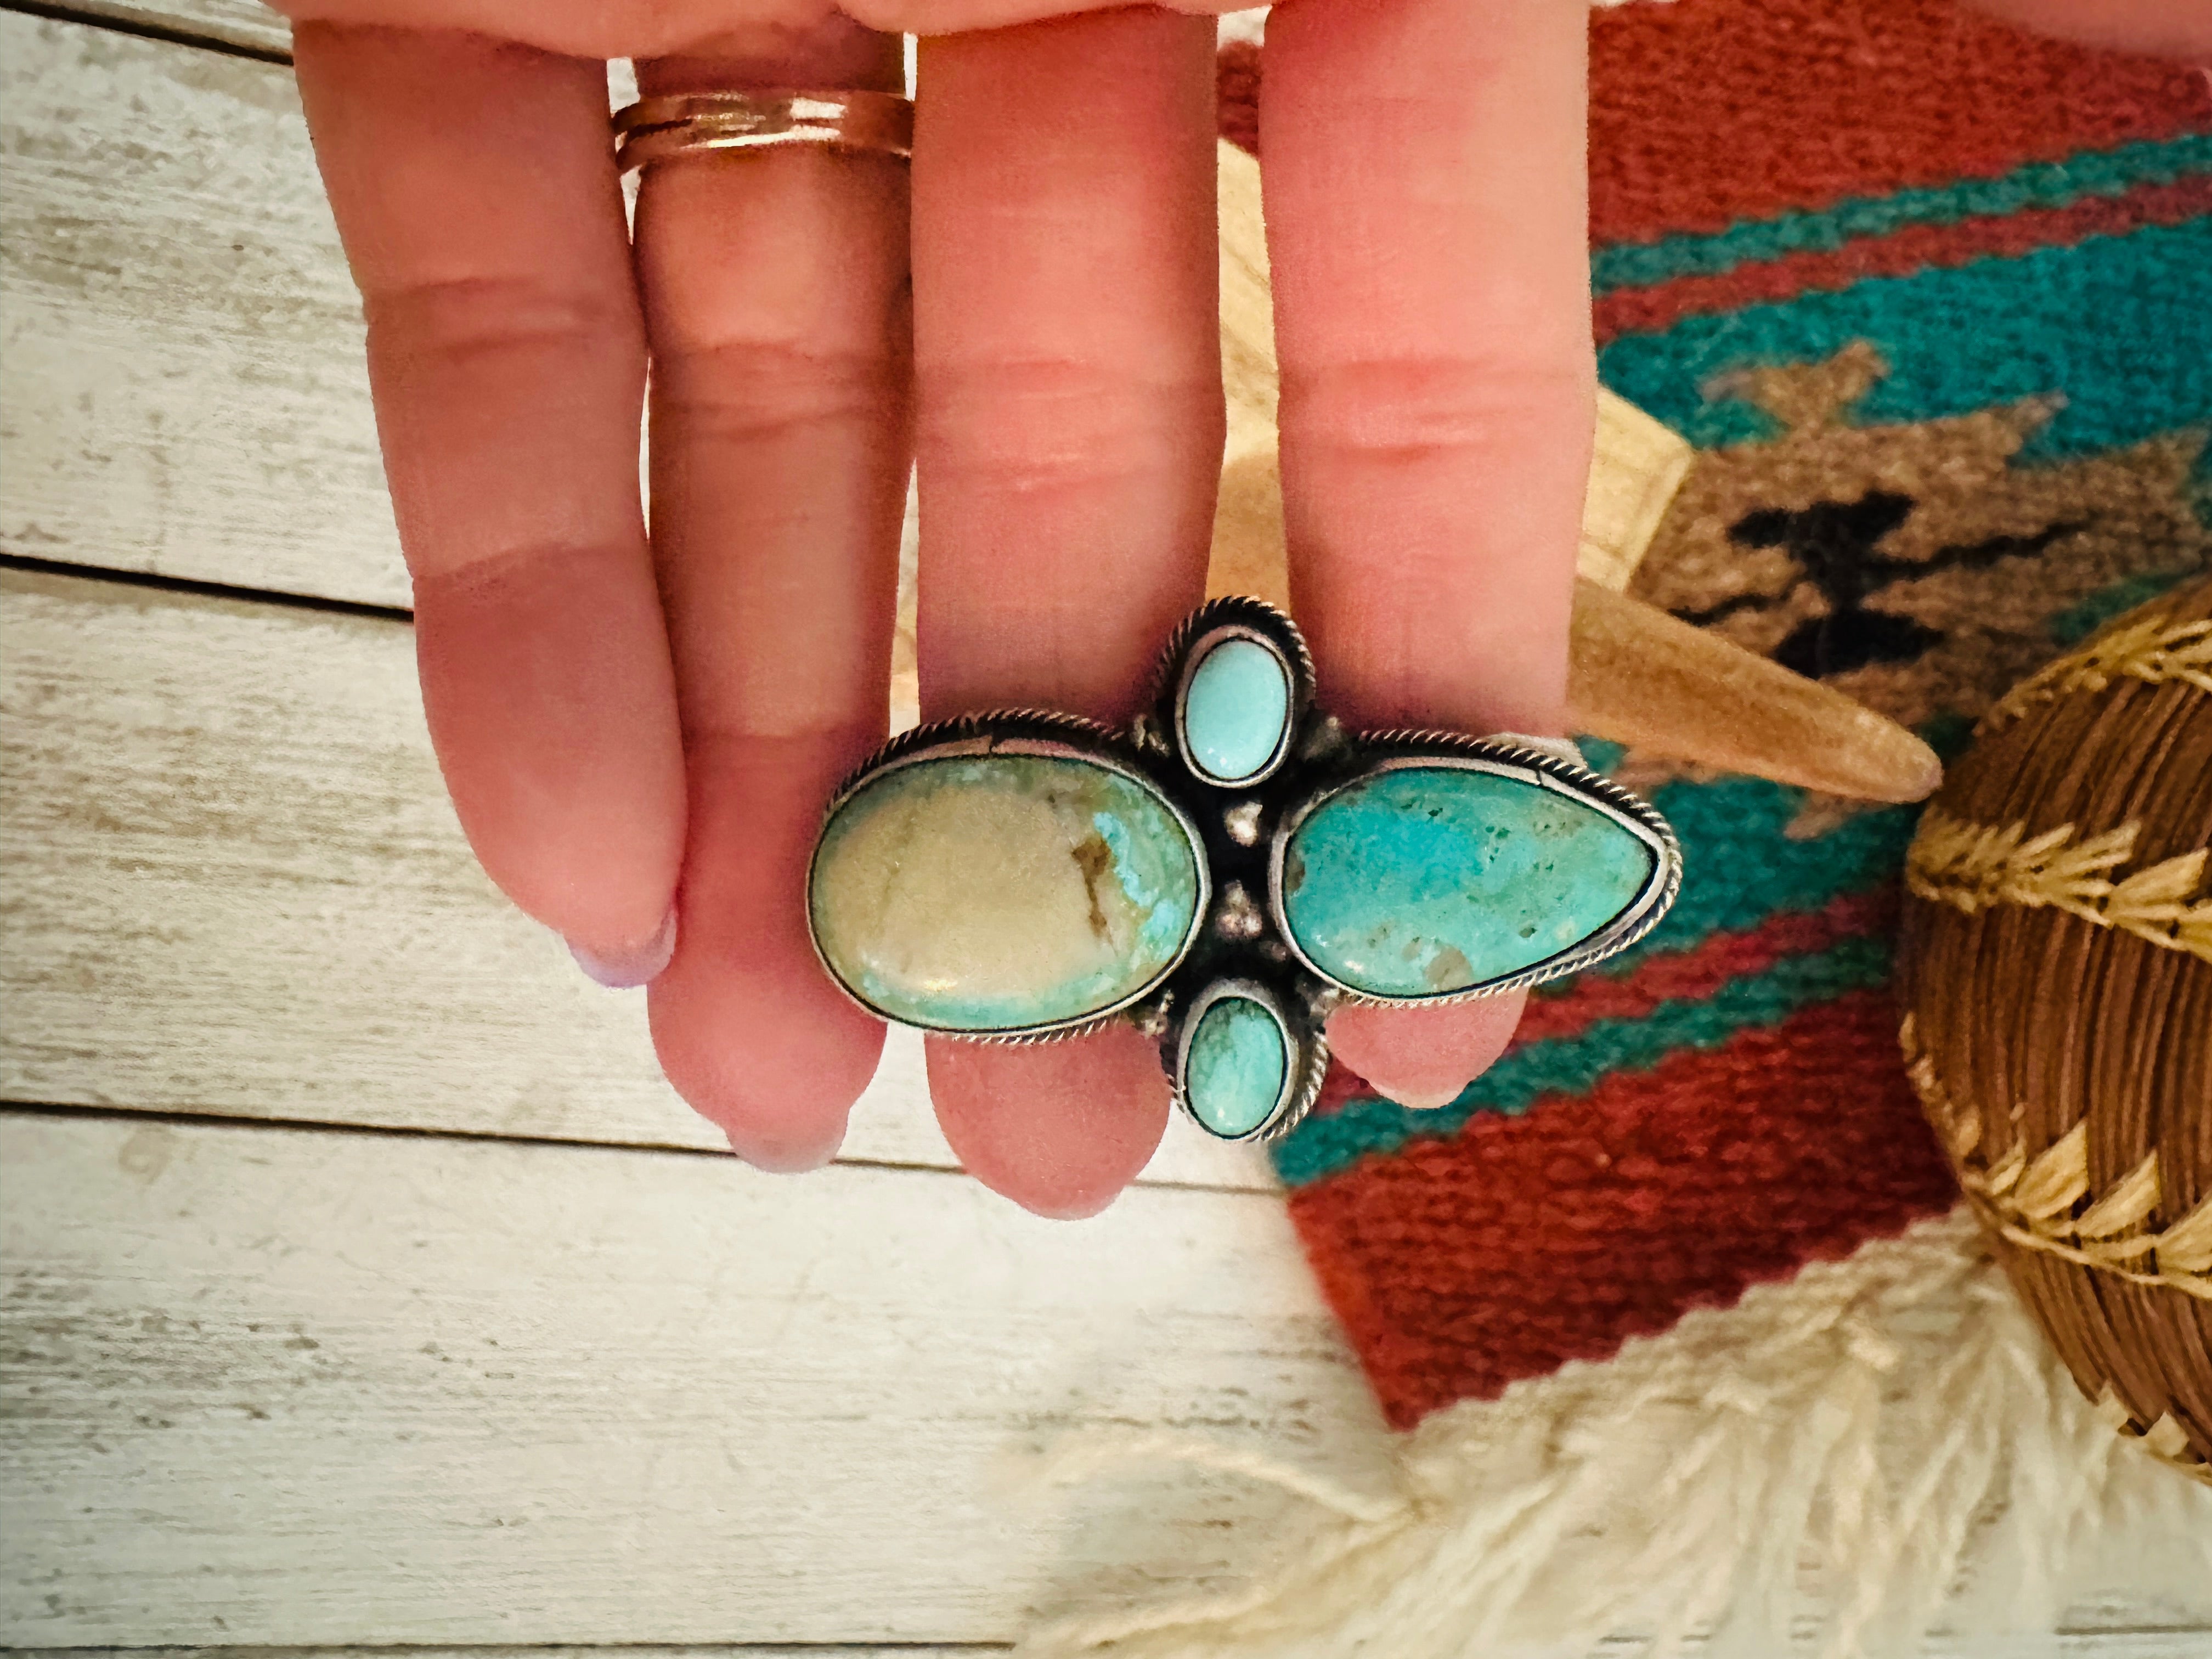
1647,311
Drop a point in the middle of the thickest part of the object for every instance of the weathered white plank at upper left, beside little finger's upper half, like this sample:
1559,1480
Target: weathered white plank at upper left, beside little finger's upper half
182,340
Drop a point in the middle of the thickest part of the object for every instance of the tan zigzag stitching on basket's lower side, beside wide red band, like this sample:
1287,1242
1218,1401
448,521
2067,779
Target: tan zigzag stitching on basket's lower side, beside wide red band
2032,1202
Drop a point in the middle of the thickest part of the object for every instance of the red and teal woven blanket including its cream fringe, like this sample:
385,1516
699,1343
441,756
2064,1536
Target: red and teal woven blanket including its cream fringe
1934,302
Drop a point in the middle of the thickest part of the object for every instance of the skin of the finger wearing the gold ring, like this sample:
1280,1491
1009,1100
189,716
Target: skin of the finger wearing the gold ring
778,304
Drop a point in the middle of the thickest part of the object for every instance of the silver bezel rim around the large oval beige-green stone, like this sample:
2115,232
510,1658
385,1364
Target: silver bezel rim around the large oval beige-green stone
1019,733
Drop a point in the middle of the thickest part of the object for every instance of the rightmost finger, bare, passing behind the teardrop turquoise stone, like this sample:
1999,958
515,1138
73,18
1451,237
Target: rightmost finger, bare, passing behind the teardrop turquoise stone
1428,233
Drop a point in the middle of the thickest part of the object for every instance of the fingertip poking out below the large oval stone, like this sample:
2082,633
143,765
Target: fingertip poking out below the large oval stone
1061,1129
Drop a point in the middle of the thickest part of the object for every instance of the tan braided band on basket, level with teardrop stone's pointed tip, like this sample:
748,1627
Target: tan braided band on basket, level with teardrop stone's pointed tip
1974,868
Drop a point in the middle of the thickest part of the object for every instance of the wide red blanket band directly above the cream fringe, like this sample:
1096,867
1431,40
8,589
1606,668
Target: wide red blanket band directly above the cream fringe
1527,1242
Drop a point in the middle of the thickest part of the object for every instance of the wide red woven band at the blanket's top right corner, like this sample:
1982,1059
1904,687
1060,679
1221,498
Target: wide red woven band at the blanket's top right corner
1711,112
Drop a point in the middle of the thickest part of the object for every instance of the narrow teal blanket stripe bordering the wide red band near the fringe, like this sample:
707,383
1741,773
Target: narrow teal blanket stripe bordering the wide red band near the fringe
1574,1065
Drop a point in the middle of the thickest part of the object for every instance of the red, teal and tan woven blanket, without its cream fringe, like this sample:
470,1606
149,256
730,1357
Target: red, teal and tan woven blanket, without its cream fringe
1934,300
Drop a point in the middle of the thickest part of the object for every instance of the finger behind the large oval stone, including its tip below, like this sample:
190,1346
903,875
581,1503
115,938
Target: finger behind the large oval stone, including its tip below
1070,382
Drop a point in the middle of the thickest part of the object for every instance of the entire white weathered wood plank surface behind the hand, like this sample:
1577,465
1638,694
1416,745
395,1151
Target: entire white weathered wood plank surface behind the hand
273,1388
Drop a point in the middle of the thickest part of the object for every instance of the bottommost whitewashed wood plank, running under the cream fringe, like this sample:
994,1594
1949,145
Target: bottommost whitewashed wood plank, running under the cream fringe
320,1388
